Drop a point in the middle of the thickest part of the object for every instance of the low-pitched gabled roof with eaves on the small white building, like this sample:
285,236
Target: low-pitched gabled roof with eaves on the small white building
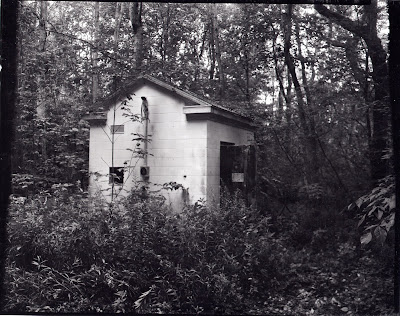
197,108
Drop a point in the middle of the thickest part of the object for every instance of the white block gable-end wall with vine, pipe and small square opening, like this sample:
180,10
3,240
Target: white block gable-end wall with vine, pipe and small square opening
177,151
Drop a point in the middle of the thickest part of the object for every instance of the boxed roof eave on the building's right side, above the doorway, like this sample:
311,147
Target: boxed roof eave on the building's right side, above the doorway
217,114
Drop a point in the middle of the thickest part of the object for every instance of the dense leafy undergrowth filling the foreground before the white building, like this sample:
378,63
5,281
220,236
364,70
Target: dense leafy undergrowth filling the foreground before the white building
141,257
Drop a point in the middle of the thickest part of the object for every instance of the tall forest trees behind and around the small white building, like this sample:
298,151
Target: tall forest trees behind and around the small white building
314,80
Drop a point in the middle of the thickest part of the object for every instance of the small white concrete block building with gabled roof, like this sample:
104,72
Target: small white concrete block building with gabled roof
153,133
